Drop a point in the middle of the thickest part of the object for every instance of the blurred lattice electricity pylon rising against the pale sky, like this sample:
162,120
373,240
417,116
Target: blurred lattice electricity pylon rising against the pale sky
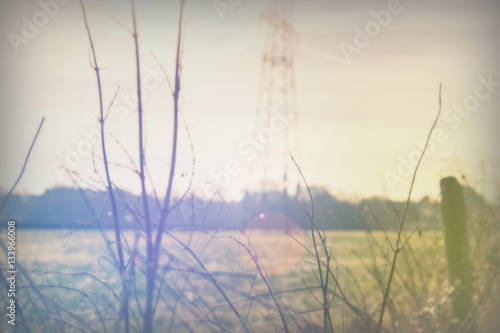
276,120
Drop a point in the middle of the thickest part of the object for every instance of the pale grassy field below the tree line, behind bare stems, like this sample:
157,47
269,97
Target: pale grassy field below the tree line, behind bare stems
288,267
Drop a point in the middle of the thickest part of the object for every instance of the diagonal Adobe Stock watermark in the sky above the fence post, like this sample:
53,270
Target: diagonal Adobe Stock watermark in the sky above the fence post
454,117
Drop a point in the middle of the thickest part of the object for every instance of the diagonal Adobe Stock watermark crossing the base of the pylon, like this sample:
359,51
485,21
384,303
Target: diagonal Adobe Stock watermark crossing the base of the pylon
248,150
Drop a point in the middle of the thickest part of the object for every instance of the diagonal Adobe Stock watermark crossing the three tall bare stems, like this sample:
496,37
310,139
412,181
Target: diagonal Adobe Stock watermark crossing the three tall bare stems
122,108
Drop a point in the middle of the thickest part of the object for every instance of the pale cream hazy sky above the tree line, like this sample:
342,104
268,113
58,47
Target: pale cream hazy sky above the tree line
367,77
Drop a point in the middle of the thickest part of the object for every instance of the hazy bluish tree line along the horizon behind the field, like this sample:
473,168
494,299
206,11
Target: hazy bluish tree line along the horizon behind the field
71,208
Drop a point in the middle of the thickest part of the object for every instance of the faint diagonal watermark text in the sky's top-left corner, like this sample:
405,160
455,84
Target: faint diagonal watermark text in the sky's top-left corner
32,25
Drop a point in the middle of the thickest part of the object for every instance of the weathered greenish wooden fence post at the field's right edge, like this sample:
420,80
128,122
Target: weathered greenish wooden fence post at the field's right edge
457,247
